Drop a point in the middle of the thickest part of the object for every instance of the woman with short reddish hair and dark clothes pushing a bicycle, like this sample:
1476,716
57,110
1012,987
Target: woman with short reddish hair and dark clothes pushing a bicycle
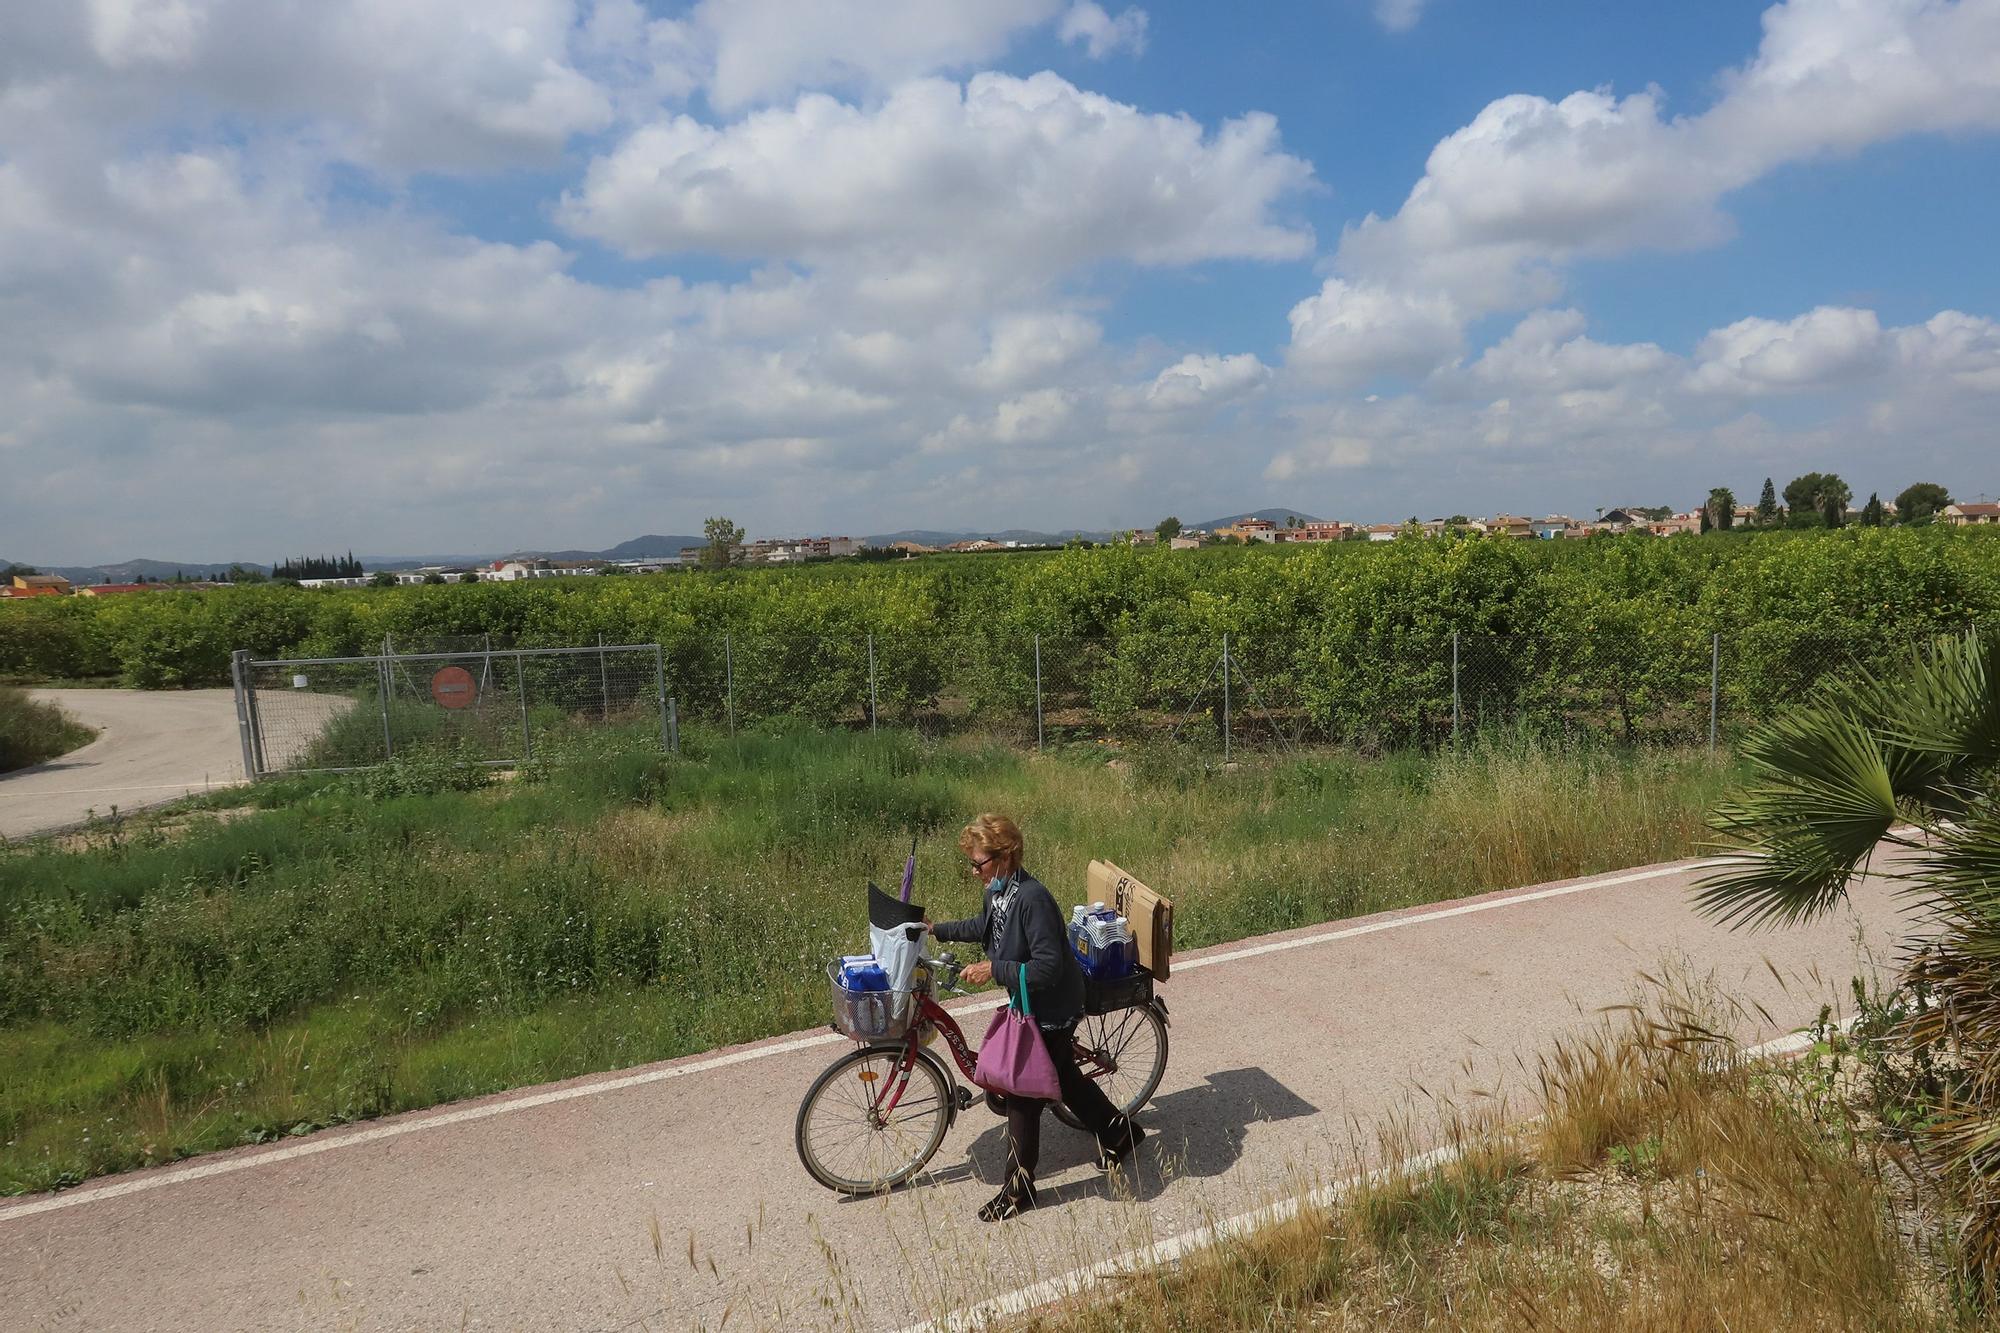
1023,934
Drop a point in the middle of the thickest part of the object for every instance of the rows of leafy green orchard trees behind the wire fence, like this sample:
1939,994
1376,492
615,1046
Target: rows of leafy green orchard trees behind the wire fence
1347,639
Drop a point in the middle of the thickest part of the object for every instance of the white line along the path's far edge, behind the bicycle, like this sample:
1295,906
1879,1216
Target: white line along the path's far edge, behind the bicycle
313,1148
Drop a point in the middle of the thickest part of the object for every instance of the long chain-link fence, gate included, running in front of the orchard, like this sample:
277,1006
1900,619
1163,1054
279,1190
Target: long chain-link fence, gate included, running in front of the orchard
1223,694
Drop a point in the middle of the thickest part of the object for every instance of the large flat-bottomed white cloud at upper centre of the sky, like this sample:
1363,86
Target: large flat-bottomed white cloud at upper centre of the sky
1027,175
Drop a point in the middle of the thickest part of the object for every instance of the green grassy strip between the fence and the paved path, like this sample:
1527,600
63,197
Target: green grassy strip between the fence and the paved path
325,950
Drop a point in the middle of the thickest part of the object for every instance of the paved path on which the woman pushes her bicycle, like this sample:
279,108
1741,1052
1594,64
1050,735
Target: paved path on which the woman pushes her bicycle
669,1198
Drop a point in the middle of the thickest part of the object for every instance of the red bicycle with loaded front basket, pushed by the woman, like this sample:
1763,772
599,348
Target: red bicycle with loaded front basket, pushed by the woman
879,1114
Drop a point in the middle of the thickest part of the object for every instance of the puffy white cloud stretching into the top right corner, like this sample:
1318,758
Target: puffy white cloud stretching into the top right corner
1533,185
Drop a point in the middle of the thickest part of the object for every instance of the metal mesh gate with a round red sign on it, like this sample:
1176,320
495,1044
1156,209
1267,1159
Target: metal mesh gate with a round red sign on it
477,704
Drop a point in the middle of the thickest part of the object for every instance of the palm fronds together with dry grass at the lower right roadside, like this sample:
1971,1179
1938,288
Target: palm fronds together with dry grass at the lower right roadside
1669,1184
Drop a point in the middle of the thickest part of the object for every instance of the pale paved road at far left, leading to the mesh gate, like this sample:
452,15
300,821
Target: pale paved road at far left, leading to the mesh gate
153,748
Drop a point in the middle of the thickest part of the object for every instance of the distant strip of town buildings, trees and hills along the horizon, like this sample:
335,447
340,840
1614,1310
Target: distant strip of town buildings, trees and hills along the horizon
1923,503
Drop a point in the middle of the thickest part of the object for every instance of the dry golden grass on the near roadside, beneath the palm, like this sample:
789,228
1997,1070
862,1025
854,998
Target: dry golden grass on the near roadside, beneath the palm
1669,1182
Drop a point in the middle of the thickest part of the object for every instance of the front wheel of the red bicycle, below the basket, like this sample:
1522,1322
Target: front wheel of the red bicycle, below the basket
847,1144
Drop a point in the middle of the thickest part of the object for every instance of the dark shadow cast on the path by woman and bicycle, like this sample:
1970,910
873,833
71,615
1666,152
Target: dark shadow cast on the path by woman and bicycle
1195,1132
